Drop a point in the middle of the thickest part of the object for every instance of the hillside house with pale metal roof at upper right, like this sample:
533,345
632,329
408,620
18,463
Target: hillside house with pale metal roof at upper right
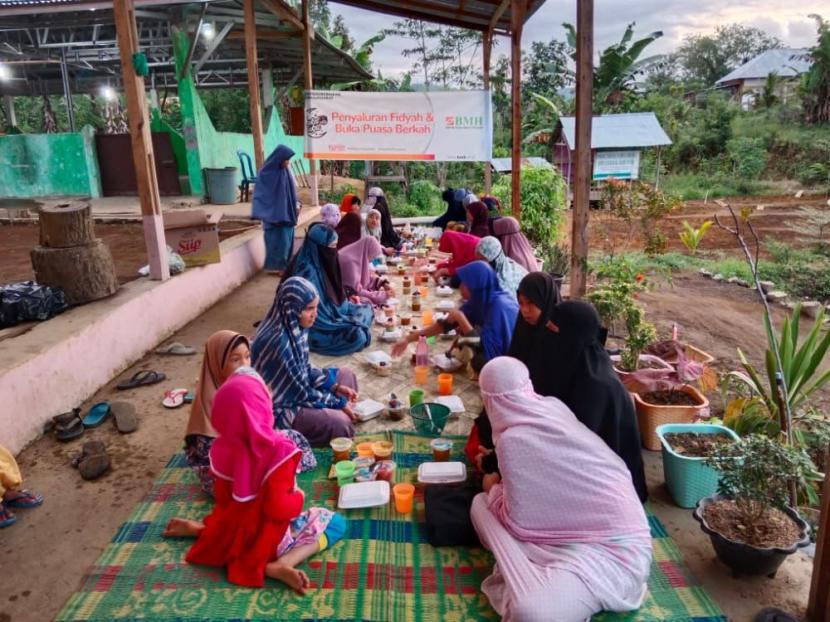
747,82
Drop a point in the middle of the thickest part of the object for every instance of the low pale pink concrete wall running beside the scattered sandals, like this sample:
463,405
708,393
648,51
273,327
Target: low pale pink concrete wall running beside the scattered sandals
62,362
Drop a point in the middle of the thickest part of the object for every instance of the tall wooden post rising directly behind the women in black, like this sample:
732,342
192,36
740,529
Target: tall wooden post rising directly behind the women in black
584,117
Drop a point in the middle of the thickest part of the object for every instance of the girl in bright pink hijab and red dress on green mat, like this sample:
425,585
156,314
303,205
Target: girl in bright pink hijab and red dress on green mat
257,527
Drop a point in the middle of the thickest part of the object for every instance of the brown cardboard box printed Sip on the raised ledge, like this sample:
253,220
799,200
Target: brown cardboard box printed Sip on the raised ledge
194,235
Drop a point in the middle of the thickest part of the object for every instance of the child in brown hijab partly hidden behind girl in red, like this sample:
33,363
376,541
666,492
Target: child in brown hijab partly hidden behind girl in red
225,352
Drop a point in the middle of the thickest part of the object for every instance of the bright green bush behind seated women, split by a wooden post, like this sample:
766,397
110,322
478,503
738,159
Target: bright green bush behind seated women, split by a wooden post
544,195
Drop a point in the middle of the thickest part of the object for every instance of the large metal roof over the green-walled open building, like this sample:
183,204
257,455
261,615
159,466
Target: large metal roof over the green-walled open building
33,42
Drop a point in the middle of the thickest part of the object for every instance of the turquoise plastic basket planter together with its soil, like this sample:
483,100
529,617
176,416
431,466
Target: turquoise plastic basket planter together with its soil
685,449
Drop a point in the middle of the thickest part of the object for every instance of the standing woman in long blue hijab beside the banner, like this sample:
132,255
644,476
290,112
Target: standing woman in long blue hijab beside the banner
275,204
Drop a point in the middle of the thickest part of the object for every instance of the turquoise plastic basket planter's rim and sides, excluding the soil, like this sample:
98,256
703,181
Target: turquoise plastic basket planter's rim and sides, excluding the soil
688,478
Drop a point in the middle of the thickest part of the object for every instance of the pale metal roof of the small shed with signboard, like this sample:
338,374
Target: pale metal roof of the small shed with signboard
619,131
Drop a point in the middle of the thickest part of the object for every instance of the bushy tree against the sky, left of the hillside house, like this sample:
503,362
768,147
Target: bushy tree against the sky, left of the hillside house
704,59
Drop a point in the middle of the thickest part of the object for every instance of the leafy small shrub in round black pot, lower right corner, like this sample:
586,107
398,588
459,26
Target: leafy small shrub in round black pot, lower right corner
752,528
